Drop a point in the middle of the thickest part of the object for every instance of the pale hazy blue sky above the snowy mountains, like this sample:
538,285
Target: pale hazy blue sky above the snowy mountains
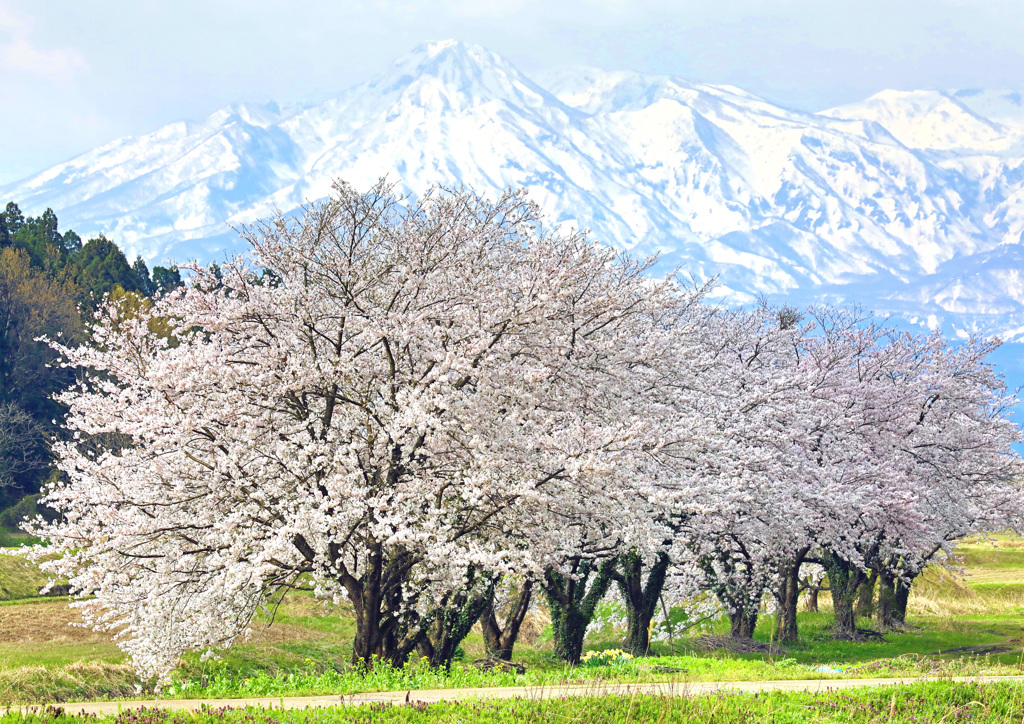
75,74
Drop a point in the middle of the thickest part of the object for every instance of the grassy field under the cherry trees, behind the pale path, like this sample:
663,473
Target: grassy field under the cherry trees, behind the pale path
974,625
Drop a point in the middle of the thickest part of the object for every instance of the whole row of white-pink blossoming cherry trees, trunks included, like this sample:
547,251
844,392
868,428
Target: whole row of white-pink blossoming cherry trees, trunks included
439,411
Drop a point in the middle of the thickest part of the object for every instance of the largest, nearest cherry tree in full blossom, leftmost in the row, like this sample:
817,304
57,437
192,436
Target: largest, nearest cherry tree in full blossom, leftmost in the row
389,395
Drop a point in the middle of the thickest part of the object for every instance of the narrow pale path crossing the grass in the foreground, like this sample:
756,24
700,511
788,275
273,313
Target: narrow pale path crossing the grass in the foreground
499,693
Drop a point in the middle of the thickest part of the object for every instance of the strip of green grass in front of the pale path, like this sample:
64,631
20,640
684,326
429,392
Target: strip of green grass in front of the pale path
941,702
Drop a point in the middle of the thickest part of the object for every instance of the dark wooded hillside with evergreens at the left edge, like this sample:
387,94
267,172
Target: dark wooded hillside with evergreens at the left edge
51,283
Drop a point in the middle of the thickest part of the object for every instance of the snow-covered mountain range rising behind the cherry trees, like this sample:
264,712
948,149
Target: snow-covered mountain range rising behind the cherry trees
912,203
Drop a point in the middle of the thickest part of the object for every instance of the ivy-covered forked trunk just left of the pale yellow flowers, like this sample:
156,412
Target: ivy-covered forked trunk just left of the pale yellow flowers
573,605
